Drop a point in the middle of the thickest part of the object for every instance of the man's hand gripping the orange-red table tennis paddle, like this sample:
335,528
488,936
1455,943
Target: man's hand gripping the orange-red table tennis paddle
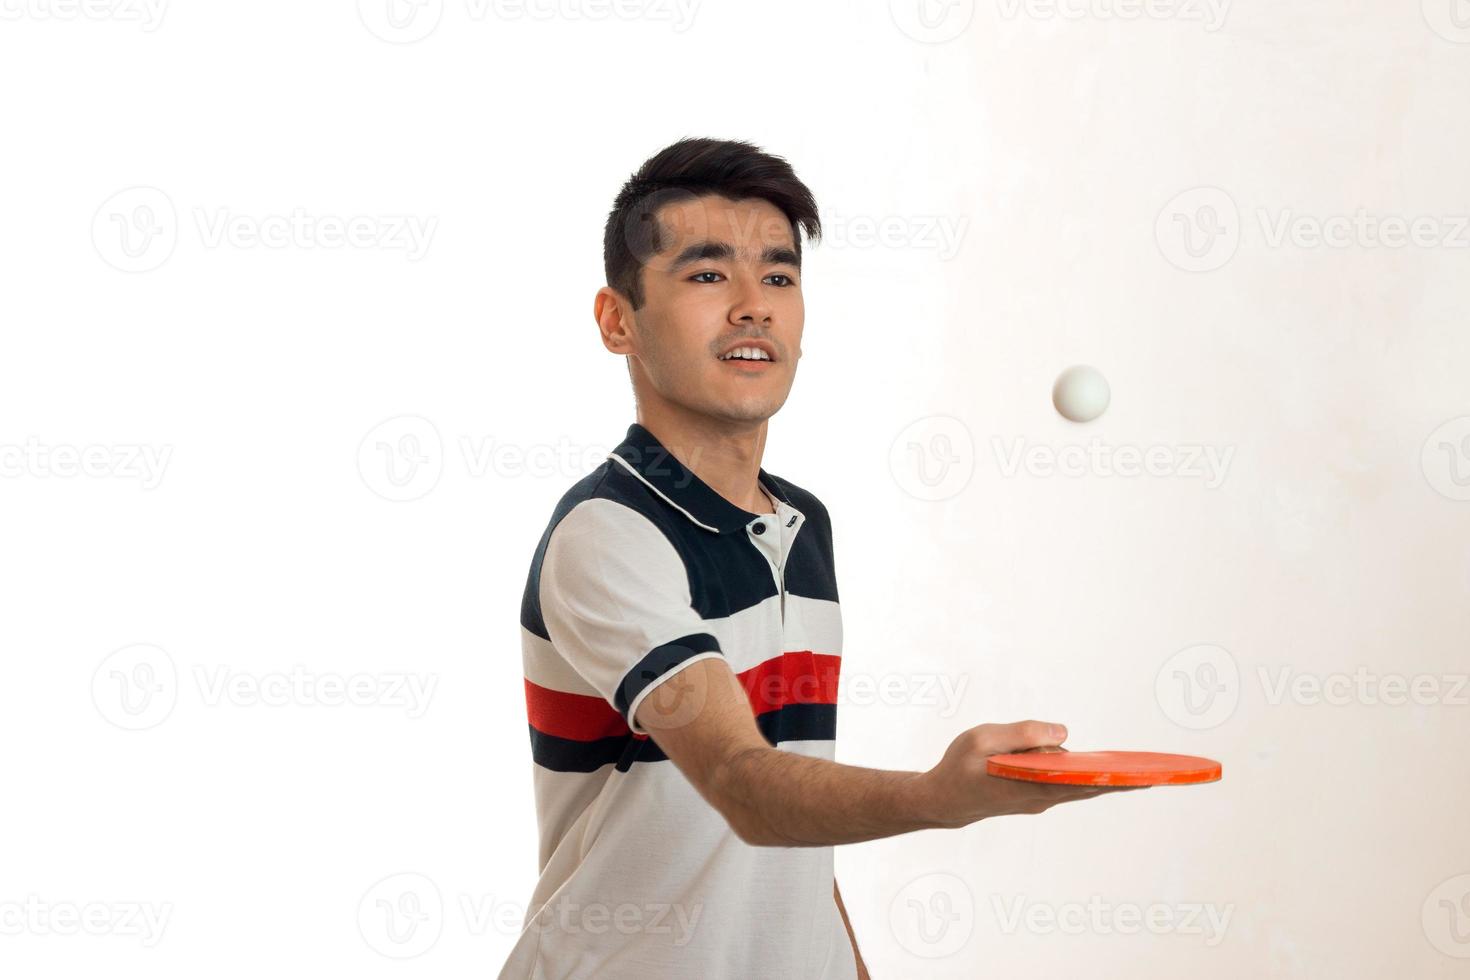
964,793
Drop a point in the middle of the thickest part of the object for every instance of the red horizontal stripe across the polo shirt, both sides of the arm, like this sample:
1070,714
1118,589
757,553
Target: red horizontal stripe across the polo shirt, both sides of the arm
793,678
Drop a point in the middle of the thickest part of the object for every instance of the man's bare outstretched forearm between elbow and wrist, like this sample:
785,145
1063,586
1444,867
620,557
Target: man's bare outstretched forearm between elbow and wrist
777,799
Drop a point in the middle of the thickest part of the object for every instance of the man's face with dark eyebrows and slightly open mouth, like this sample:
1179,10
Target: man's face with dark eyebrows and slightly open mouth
725,278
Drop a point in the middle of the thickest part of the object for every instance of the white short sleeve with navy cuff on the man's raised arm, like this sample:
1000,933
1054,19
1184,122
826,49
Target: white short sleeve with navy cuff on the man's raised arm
615,600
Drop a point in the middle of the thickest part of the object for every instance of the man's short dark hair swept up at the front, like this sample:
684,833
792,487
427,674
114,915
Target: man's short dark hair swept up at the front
693,168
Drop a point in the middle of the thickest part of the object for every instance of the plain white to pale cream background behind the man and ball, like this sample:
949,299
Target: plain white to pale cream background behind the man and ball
1053,186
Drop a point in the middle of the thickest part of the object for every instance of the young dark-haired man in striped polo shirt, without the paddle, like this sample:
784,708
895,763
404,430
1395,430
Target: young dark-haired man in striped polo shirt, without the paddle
681,631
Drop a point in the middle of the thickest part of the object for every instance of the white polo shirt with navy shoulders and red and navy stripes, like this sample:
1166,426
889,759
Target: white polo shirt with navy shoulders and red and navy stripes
643,571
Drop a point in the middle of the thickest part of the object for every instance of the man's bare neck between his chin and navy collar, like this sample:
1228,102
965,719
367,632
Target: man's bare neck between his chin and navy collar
724,455
